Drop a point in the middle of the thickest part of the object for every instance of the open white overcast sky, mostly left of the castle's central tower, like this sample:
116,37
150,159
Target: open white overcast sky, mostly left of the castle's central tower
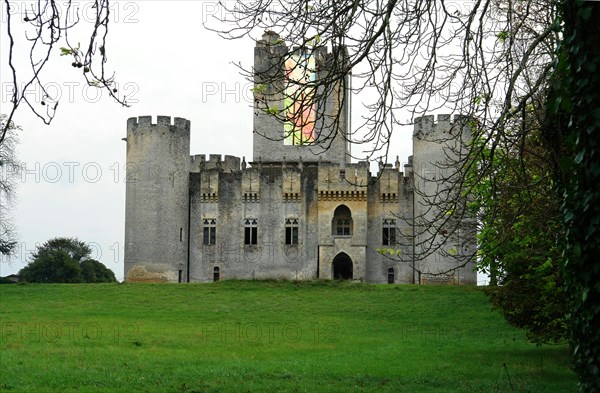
168,64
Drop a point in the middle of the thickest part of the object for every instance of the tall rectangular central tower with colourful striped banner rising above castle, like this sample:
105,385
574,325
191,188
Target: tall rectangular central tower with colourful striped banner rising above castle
296,115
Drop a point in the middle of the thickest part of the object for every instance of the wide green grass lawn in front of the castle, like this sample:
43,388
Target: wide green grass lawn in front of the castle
244,336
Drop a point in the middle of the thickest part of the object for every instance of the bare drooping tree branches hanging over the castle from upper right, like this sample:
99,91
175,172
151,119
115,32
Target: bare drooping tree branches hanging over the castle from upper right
487,60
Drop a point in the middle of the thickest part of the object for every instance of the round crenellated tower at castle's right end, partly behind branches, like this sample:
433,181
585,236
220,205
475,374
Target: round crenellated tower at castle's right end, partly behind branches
444,235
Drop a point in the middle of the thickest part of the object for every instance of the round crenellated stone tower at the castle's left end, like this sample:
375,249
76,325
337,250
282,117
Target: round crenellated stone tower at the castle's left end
156,199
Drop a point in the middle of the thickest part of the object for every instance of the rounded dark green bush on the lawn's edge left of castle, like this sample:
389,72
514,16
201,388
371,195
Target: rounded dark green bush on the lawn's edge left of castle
65,260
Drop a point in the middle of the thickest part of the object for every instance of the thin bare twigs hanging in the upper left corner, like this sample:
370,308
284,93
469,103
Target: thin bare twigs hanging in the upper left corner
46,25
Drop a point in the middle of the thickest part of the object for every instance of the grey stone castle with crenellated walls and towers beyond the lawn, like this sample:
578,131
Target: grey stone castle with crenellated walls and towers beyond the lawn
297,210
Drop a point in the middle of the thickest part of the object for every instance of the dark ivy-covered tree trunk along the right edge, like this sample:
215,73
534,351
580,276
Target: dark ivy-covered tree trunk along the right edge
573,129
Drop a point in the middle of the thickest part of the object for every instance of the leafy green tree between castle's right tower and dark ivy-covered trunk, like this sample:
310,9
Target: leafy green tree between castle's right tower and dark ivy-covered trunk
519,241
